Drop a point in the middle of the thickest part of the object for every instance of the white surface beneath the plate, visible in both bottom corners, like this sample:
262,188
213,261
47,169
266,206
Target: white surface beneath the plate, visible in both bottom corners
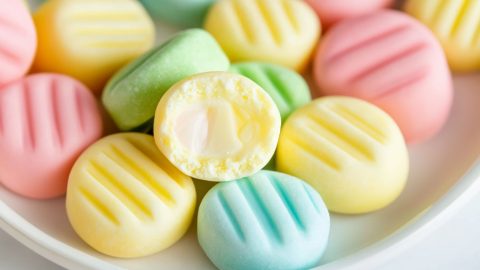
454,245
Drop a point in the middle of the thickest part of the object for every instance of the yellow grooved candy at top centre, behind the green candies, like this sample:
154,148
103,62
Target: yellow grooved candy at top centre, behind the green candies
283,32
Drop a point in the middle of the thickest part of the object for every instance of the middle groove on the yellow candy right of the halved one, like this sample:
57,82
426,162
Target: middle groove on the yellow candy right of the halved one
339,137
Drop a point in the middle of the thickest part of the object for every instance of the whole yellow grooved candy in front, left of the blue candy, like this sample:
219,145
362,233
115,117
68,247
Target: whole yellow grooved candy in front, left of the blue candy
125,199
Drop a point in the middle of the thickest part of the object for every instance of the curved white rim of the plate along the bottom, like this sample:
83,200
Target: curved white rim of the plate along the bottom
465,188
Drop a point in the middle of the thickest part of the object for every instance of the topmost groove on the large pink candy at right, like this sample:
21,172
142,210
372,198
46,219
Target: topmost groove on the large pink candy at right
391,32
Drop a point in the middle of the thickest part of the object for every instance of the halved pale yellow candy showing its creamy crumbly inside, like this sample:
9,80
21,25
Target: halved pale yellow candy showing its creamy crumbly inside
217,126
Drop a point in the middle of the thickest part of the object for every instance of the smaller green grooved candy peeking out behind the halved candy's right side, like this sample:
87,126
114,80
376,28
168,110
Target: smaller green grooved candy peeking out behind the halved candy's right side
287,88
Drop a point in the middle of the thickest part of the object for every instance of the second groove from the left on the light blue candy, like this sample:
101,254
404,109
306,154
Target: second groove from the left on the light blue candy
256,204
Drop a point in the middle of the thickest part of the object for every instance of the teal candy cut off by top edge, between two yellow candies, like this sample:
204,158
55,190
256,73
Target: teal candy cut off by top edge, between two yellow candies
186,13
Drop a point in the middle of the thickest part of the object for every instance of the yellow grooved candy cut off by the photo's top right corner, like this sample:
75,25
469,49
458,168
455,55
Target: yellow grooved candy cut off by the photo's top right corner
456,23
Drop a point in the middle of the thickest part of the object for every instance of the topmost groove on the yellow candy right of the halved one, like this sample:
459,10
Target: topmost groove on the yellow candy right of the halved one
358,122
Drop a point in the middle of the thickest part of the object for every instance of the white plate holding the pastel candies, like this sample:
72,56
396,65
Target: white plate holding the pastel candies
443,177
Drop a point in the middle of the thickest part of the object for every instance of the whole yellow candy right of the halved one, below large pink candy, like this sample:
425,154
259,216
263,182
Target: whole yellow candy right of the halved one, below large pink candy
350,151
